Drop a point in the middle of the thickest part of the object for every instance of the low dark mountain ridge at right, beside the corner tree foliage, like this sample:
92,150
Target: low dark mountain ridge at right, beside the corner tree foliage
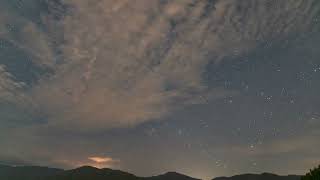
264,176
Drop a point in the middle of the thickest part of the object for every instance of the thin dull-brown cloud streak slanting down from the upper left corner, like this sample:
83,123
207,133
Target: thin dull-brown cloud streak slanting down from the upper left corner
26,35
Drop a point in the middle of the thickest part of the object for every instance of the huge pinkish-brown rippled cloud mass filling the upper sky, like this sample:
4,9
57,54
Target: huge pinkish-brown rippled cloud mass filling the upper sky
120,63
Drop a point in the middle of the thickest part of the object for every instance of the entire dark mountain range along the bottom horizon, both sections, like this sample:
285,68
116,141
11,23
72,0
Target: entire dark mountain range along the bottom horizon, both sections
91,173
